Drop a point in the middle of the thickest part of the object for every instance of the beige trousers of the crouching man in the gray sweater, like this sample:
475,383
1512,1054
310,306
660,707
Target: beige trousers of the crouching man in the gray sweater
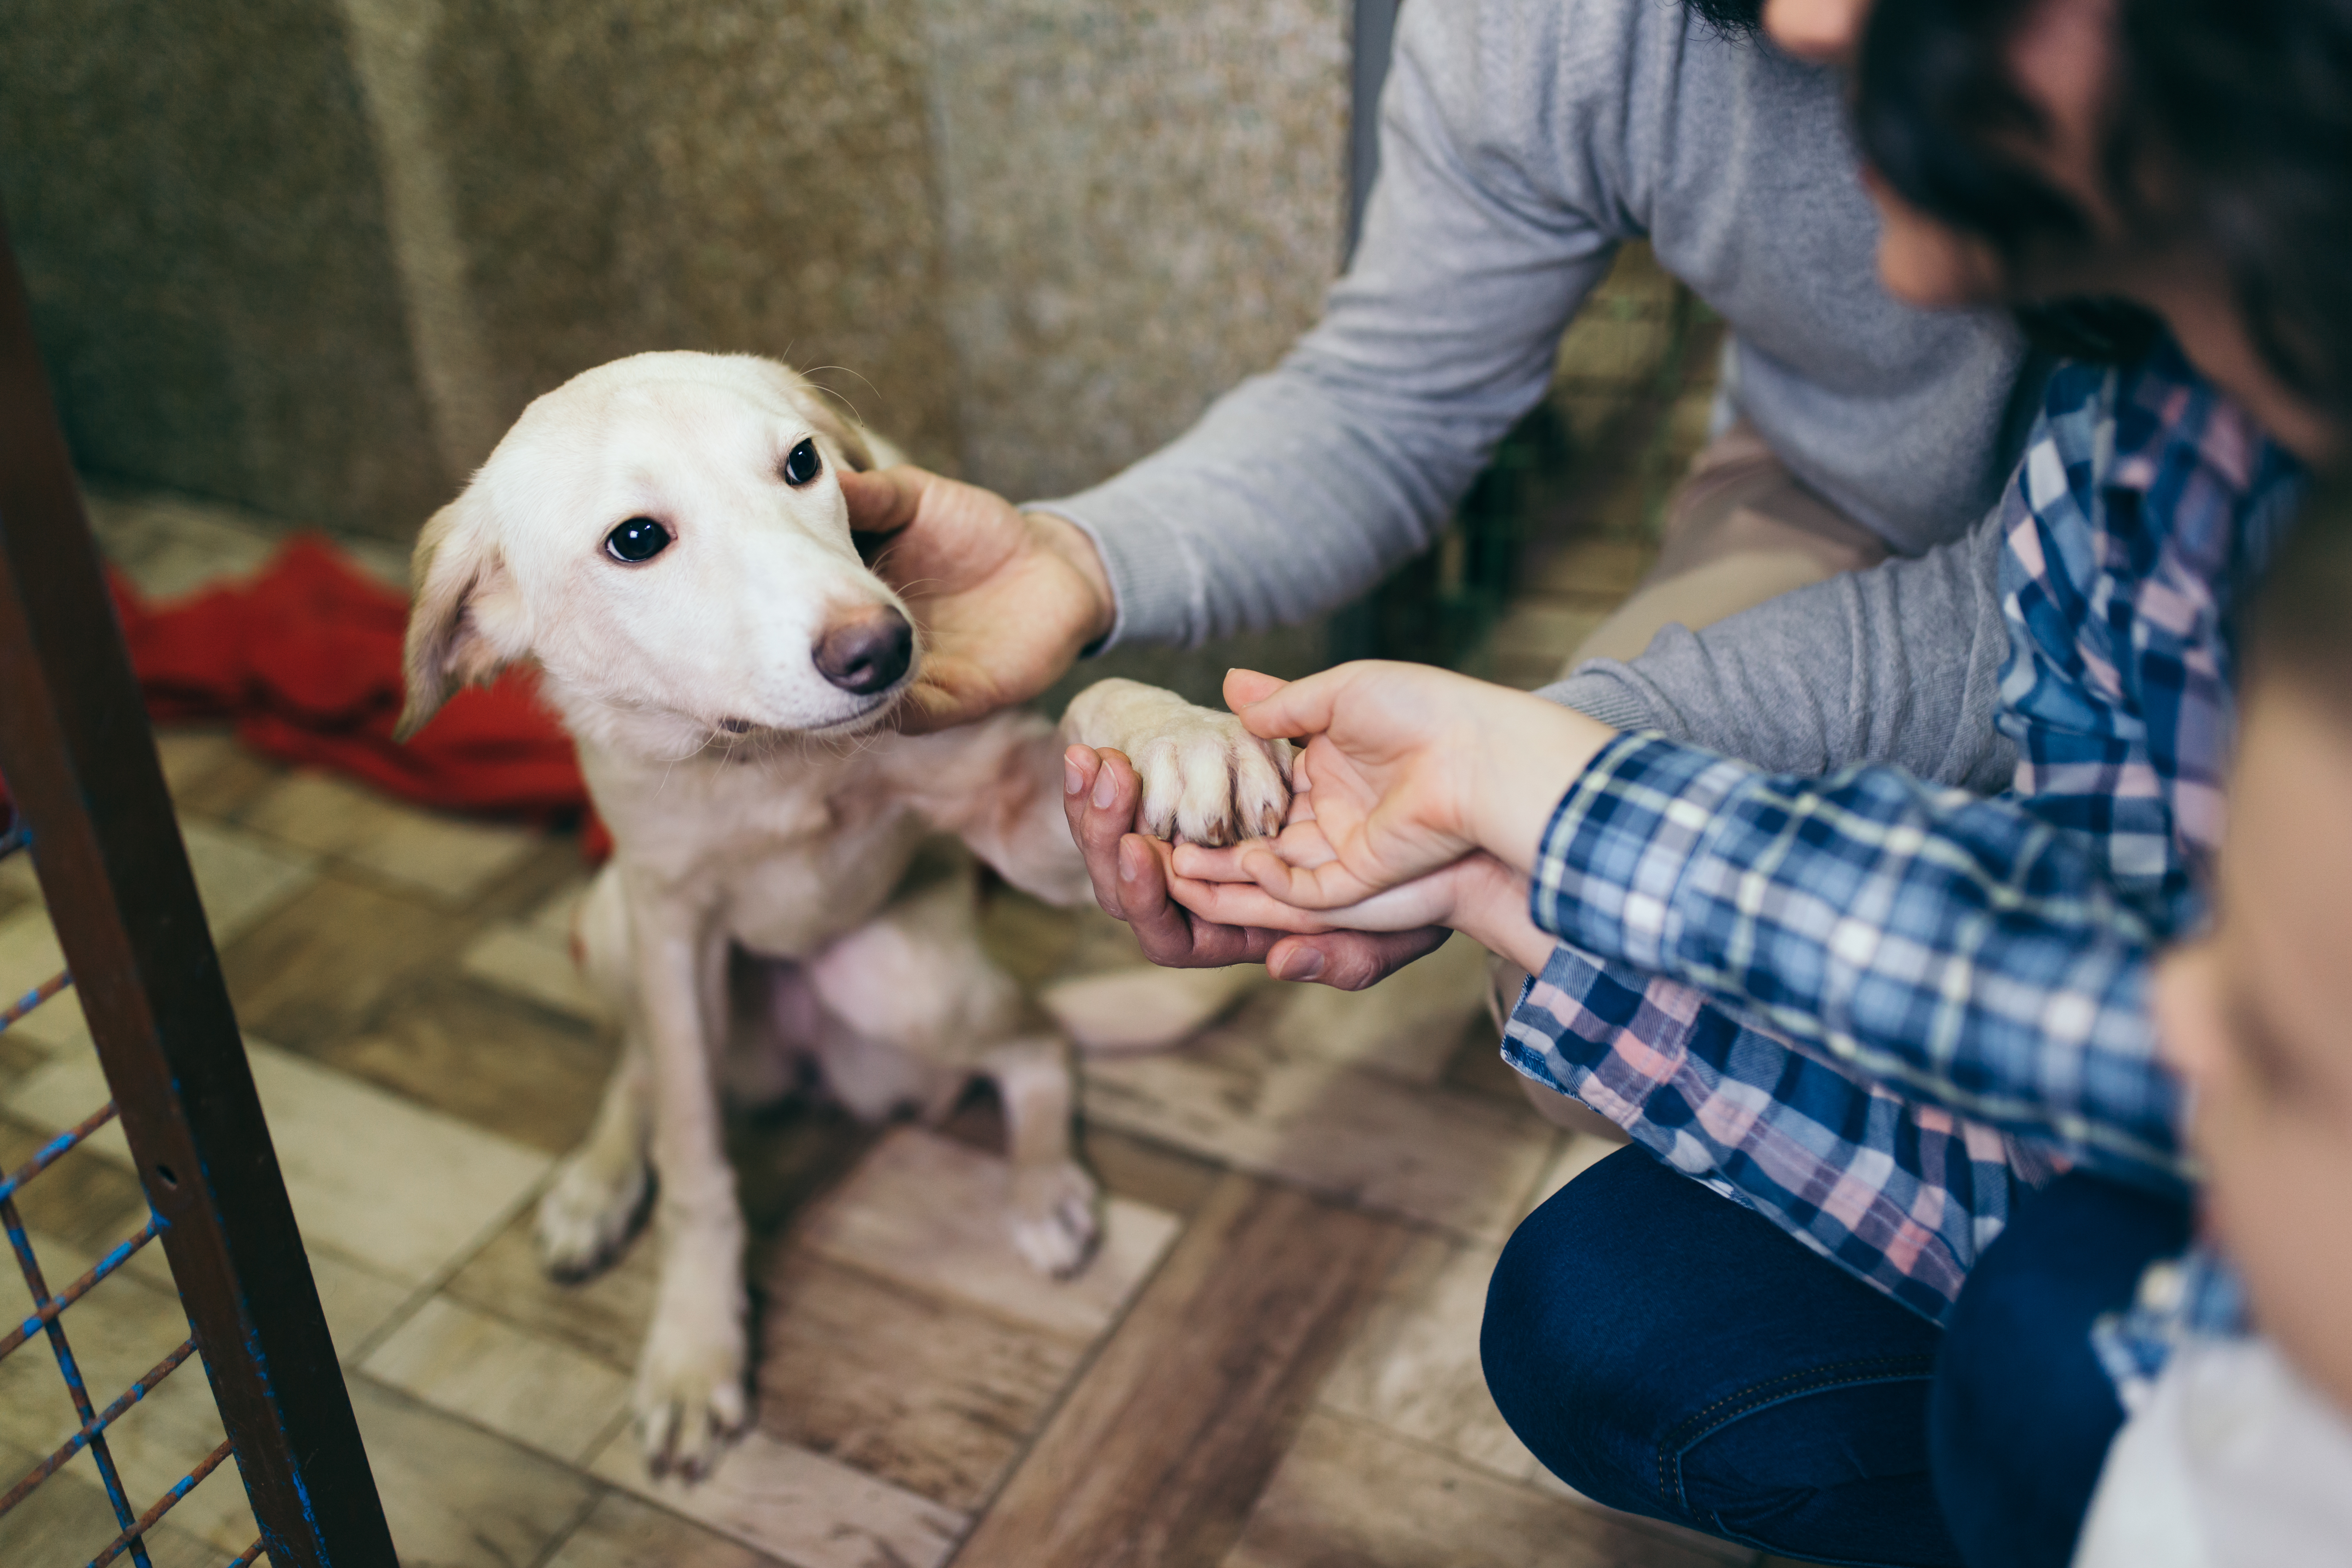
1739,530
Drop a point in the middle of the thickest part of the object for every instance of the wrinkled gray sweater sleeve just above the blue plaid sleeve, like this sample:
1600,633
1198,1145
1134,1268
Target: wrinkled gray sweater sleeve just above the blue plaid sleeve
1899,664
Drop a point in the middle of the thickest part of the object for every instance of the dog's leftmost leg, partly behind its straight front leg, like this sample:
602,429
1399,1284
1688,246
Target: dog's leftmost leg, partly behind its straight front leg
599,1193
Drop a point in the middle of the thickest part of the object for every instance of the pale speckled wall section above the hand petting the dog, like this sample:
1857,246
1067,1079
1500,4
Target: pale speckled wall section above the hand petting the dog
1144,206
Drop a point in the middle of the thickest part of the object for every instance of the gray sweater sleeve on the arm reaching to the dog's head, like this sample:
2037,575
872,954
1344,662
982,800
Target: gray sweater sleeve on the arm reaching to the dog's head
1302,488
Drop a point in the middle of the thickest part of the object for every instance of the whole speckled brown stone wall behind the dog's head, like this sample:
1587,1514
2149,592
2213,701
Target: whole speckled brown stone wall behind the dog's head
314,255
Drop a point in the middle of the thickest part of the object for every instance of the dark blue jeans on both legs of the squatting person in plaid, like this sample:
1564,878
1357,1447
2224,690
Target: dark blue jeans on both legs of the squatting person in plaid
1676,1355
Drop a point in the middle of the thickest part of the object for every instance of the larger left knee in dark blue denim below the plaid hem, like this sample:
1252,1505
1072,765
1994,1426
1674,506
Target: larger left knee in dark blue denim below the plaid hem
1673,1355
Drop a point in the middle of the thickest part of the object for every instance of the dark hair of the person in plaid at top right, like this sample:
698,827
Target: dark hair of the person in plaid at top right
2233,126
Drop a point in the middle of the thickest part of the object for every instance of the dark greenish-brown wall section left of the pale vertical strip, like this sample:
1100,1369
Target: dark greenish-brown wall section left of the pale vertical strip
196,208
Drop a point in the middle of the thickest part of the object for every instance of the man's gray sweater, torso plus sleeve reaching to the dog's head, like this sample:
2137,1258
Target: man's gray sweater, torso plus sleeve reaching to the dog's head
1521,142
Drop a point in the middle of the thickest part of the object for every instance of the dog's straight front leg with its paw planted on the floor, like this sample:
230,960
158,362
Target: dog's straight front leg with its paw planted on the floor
690,1379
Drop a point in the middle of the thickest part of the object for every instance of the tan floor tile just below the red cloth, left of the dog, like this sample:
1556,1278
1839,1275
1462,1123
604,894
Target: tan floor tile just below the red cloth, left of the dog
446,857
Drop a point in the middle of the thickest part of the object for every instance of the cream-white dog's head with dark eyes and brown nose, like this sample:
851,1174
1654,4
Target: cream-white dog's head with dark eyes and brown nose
669,540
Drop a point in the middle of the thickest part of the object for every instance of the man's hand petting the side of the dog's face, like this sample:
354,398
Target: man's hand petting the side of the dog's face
1005,598
